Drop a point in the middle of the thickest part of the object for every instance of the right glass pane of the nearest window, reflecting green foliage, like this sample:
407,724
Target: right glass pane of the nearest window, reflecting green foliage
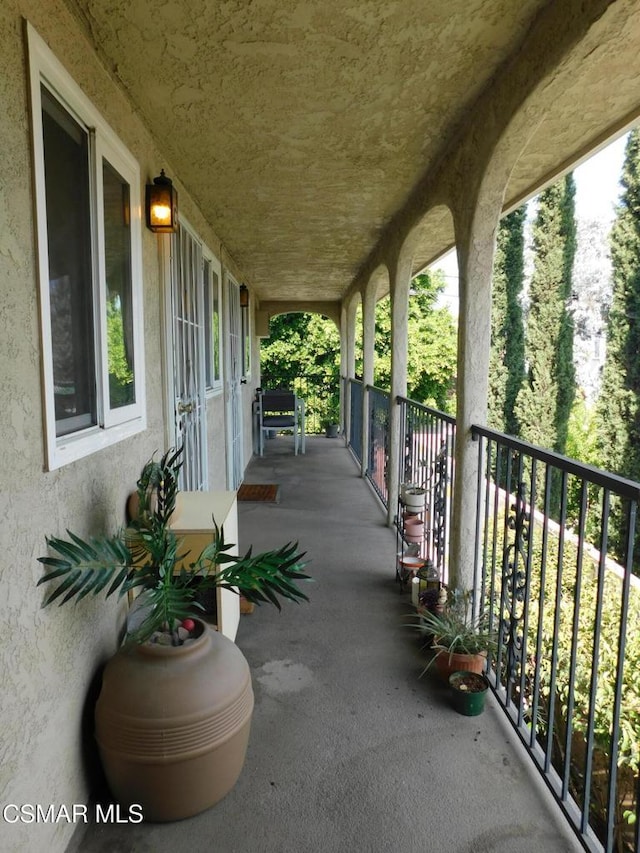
119,307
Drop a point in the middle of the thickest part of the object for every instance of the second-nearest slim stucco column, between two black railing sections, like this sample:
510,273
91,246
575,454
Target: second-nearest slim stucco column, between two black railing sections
400,282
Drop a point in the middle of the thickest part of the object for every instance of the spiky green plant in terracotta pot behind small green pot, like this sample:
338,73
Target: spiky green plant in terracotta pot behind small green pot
460,642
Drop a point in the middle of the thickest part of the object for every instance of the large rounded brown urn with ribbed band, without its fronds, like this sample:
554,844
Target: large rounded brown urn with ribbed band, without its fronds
172,724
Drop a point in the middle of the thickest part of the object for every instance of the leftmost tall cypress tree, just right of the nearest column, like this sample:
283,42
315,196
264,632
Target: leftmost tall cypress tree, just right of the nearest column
506,365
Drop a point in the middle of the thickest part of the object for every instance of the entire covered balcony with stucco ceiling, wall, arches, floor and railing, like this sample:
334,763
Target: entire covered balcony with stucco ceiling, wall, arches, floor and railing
323,155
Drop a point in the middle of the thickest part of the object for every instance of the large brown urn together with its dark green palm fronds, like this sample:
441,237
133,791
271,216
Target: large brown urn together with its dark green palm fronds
174,712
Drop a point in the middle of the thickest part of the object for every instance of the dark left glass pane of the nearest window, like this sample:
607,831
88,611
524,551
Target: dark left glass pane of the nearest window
66,161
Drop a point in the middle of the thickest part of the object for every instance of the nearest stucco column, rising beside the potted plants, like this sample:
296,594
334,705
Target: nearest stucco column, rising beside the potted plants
475,263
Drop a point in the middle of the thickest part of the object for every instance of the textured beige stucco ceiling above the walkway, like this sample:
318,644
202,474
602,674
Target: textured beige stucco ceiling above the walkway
301,127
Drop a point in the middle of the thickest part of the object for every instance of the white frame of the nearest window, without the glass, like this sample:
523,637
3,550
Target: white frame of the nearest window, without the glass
114,424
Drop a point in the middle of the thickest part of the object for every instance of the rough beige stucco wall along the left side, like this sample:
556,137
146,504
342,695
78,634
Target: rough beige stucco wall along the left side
48,658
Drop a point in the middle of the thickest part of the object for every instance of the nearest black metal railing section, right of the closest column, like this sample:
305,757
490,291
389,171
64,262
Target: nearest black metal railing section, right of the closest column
555,577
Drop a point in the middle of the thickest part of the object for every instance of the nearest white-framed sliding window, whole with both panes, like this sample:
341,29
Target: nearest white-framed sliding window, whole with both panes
88,210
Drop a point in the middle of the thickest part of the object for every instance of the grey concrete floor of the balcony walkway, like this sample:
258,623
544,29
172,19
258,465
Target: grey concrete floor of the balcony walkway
349,750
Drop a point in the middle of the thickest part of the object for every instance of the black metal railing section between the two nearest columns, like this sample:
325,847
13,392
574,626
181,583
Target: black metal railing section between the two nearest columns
428,442
